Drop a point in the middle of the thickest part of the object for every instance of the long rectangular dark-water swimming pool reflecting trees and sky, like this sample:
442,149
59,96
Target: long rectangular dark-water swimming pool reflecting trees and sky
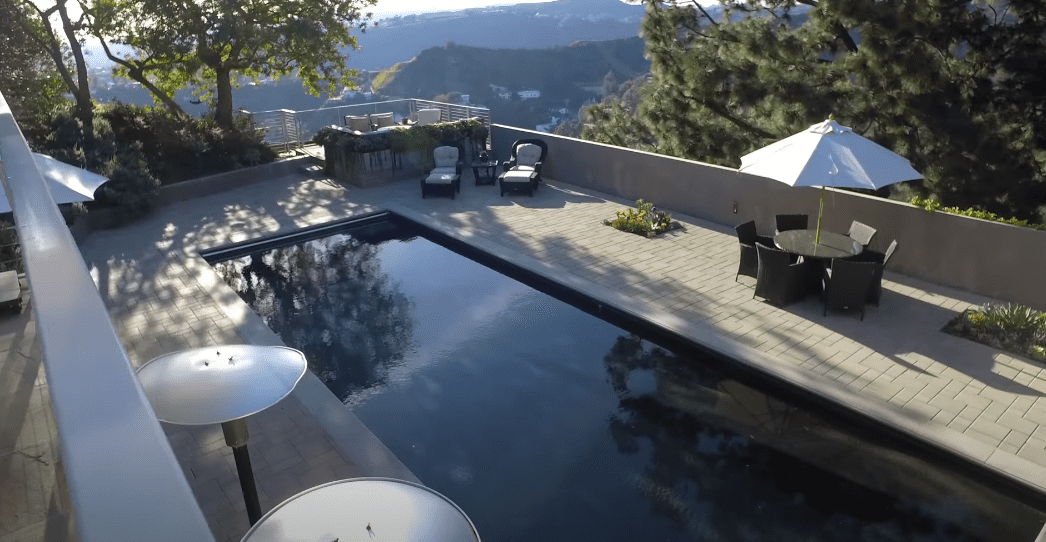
544,422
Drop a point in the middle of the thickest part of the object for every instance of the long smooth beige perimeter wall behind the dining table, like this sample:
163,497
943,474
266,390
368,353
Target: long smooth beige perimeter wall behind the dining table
996,260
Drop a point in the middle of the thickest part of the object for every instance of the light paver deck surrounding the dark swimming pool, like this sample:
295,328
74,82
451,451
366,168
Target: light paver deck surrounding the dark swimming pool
896,366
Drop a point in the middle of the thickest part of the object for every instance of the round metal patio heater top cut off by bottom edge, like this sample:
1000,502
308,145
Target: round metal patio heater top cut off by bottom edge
366,510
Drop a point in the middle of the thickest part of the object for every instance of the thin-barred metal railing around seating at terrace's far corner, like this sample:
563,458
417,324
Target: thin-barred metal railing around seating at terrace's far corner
286,129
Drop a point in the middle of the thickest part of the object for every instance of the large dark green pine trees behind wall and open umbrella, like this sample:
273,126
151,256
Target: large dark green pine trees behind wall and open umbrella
956,86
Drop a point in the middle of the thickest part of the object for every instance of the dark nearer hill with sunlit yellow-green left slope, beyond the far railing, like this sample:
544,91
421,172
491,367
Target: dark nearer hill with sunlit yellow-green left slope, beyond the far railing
472,71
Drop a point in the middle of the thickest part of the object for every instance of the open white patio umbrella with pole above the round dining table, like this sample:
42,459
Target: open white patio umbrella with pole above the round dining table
828,154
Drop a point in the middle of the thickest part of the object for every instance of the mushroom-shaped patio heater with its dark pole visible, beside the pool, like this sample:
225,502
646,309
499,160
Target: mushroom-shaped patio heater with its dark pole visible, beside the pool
223,386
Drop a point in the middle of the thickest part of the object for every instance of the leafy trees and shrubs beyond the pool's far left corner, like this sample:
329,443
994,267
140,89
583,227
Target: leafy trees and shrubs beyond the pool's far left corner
206,46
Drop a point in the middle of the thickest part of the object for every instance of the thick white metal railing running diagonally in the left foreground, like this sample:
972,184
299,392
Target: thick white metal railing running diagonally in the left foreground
124,479
